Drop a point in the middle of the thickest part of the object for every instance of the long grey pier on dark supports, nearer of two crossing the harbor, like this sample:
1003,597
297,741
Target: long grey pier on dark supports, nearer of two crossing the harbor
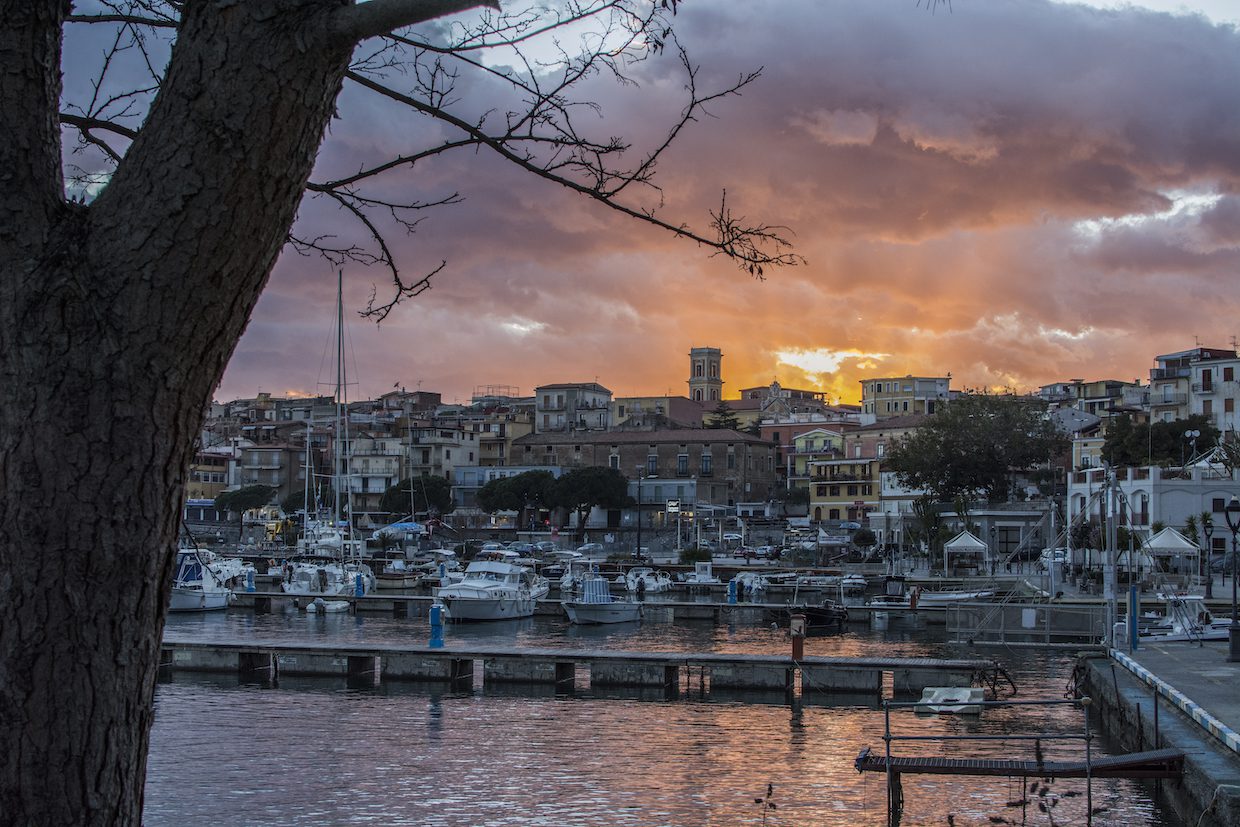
668,671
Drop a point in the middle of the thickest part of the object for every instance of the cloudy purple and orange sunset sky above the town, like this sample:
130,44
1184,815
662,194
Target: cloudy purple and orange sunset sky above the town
1014,193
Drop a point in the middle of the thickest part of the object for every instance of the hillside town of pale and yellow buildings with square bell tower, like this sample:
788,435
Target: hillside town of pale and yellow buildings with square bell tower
761,456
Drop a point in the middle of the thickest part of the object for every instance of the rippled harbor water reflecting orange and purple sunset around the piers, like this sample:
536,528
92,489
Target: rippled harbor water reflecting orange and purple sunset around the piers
321,752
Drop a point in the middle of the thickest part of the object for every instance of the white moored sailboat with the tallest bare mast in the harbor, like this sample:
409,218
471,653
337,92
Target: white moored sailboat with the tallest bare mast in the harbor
342,573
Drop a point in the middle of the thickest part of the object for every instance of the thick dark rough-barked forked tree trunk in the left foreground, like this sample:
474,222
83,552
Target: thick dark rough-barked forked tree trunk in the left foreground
116,324
